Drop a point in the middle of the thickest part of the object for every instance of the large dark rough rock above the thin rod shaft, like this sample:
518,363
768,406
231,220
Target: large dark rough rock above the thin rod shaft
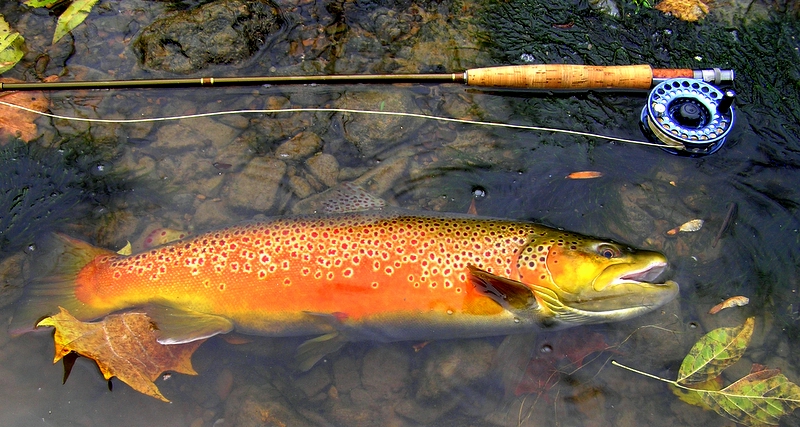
221,32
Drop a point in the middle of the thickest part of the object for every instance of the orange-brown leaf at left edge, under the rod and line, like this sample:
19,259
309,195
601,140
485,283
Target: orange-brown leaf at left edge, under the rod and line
16,122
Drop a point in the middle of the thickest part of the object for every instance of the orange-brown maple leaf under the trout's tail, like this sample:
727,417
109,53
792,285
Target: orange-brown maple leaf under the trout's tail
123,346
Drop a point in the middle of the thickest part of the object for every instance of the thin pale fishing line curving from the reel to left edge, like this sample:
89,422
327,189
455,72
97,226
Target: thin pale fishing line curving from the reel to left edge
337,110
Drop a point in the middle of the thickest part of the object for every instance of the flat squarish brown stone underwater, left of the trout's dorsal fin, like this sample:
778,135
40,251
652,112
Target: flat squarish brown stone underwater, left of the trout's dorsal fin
256,187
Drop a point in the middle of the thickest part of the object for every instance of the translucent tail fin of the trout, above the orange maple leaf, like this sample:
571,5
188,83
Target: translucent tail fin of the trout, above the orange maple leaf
53,283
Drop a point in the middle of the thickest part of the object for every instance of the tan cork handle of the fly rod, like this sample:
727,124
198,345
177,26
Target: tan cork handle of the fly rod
562,76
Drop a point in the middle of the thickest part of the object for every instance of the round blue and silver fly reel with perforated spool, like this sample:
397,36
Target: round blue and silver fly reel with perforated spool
689,117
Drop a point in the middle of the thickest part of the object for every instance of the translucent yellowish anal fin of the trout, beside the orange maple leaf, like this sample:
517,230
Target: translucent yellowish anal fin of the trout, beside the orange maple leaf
178,326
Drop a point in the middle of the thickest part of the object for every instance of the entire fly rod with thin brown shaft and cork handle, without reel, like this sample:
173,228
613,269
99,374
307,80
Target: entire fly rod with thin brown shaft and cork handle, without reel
531,76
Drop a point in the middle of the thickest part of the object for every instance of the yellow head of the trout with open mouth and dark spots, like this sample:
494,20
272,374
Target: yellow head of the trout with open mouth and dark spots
580,280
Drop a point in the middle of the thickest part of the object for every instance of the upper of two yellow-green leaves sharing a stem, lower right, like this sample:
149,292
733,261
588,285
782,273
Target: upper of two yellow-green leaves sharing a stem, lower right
714,352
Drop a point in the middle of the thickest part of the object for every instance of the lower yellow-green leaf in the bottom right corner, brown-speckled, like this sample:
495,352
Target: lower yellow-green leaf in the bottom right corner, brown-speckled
760,398
